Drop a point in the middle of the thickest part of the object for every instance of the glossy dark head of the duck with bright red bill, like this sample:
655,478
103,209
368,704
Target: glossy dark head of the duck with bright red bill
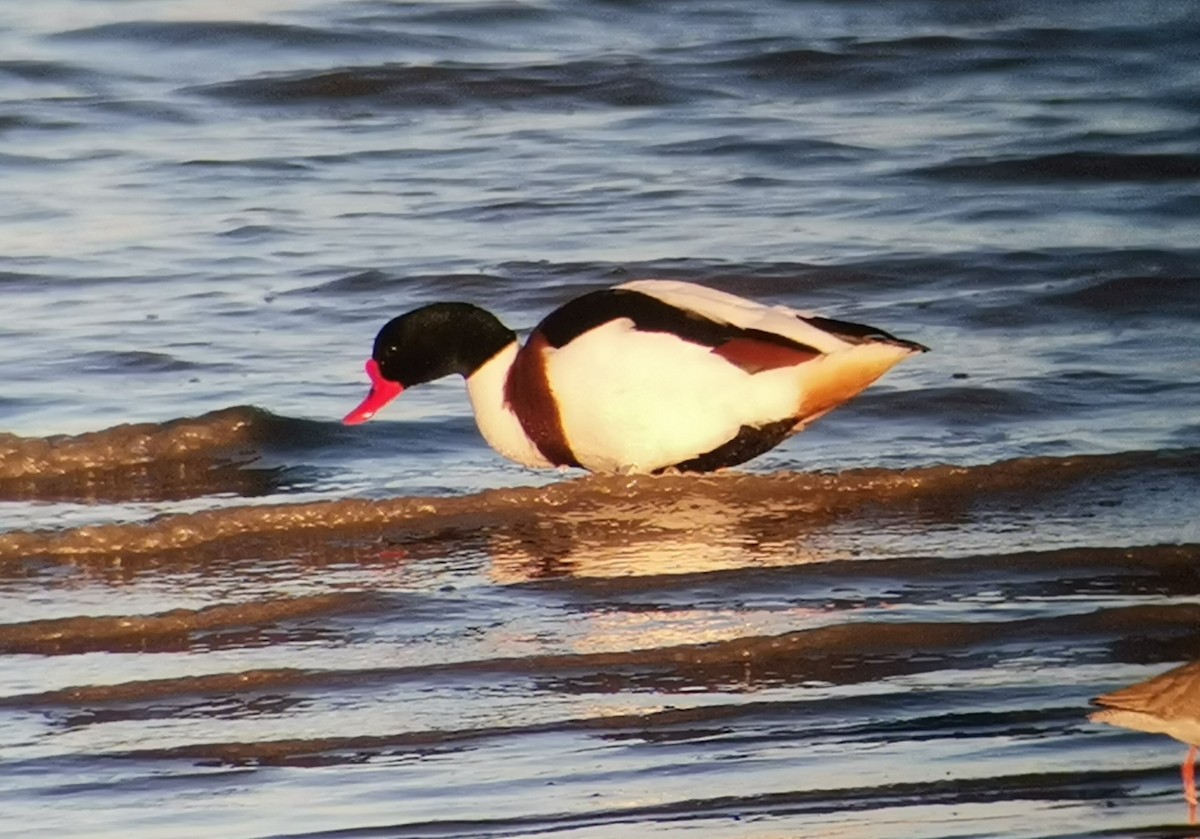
425,345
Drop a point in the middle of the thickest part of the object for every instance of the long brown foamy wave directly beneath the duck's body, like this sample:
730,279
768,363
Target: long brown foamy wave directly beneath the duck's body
603,507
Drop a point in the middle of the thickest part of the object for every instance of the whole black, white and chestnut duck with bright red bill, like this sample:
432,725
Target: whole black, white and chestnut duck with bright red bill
650,376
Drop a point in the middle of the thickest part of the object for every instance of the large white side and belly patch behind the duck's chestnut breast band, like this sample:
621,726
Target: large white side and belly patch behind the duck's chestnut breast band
633,401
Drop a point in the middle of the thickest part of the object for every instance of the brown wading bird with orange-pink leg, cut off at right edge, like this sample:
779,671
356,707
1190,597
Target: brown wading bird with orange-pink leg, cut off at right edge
1168,704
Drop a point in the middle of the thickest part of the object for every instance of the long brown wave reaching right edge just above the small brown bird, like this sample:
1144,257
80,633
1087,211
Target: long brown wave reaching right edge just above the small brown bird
842,654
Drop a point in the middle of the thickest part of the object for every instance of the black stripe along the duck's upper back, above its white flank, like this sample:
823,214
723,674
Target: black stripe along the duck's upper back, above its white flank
650,315
